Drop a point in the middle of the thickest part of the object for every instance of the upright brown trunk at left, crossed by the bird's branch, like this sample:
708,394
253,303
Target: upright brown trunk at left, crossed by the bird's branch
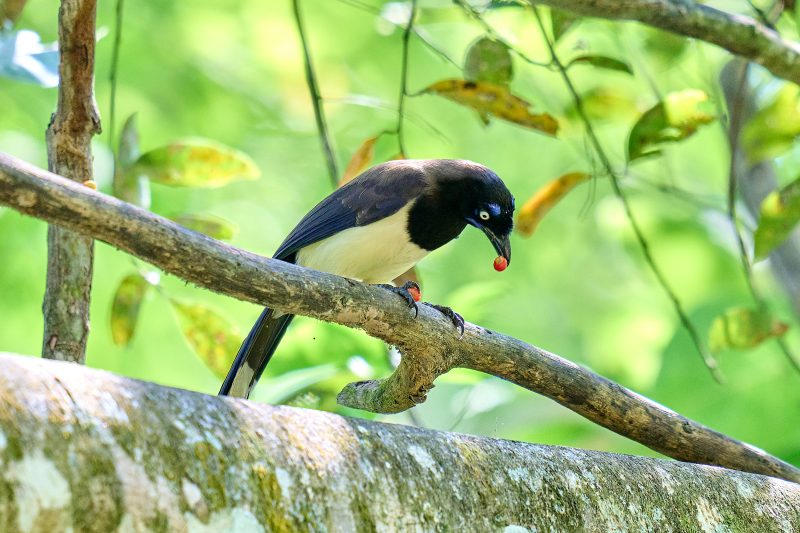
69,255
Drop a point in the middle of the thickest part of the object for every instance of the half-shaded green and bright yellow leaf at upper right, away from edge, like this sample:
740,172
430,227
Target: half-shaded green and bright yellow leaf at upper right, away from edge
672,120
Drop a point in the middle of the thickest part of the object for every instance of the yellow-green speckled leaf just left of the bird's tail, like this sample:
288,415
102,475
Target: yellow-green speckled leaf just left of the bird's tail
211,336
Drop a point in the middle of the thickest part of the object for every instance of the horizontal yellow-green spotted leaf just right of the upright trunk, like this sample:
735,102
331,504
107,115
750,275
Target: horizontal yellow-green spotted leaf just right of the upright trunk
196,163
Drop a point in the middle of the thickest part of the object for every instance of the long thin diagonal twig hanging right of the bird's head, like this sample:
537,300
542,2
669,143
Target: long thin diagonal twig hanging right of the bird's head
643,244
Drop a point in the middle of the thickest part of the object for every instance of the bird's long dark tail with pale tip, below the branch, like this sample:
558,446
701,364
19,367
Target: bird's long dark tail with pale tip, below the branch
255,353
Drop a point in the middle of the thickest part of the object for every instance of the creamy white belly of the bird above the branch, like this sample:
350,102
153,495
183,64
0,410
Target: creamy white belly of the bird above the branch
376,253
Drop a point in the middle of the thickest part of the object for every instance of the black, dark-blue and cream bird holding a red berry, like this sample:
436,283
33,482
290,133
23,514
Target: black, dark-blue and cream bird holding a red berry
376,227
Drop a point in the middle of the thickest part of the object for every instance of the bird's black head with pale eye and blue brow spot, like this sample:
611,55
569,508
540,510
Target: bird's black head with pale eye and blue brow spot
489,206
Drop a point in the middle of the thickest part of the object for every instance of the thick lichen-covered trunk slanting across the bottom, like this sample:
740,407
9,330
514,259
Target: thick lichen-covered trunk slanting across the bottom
125,455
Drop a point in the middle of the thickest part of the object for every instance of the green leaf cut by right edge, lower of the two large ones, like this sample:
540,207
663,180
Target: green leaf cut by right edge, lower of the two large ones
780,213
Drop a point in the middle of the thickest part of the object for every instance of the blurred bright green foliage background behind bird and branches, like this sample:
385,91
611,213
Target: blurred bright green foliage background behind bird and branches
233,72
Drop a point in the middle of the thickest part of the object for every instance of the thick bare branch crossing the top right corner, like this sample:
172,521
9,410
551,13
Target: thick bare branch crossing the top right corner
738,34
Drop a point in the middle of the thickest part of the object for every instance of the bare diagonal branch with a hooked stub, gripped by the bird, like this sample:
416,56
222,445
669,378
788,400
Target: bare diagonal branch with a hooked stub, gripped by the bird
429,343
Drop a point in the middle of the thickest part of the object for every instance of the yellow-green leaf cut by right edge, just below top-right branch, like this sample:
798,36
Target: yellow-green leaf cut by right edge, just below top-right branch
775,127
